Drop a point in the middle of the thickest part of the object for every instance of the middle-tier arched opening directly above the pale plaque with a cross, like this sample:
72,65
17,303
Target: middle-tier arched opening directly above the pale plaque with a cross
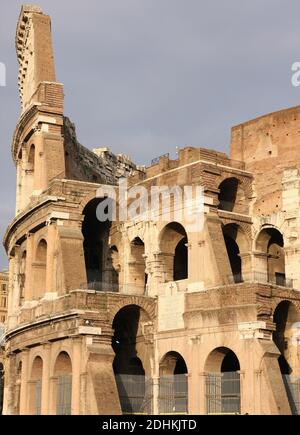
174,252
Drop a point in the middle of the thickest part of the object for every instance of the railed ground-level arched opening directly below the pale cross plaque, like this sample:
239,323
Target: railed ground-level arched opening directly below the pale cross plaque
173,384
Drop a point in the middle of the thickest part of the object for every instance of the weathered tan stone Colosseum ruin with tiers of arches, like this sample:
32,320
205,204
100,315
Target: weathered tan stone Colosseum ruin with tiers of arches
149,316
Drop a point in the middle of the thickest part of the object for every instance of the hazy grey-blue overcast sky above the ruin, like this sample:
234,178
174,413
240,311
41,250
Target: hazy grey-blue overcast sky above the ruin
145,76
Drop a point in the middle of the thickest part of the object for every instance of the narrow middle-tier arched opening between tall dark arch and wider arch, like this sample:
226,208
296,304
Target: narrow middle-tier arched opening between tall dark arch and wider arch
137,266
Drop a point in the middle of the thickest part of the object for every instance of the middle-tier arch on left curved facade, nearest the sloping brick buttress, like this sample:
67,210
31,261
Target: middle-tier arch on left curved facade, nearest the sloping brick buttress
40,270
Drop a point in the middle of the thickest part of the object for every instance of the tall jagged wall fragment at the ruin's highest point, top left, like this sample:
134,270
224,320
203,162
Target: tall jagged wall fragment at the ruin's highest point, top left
34,52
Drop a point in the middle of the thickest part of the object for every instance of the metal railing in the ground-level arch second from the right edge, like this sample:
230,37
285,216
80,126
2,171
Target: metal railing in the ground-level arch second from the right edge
223,393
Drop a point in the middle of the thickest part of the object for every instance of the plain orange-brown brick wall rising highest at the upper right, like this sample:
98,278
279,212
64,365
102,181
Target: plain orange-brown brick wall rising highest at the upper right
268,146
